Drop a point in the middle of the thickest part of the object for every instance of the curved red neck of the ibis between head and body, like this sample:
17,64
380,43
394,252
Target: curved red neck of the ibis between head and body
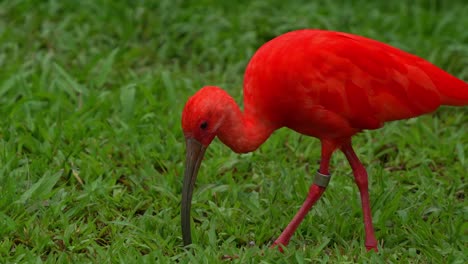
243,132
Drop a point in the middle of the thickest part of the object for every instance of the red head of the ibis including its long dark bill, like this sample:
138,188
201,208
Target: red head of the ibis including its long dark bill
202,116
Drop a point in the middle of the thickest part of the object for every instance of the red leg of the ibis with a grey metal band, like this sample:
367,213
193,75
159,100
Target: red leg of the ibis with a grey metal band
315,192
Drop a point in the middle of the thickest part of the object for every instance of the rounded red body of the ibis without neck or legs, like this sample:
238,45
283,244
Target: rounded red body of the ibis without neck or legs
315,74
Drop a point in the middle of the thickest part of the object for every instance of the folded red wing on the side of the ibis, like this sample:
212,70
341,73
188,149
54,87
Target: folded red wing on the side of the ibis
370,82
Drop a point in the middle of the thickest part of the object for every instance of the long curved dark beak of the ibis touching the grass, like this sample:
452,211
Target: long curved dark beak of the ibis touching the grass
194,156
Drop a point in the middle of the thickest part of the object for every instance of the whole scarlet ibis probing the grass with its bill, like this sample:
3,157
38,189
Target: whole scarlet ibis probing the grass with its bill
325,84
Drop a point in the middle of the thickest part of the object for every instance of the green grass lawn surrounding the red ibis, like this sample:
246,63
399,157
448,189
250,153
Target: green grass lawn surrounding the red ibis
92,153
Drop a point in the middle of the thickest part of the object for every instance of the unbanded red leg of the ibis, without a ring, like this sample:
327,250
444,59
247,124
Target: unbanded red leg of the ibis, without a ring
360,176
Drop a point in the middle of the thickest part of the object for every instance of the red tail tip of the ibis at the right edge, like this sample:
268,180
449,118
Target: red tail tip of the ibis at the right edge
454,91
